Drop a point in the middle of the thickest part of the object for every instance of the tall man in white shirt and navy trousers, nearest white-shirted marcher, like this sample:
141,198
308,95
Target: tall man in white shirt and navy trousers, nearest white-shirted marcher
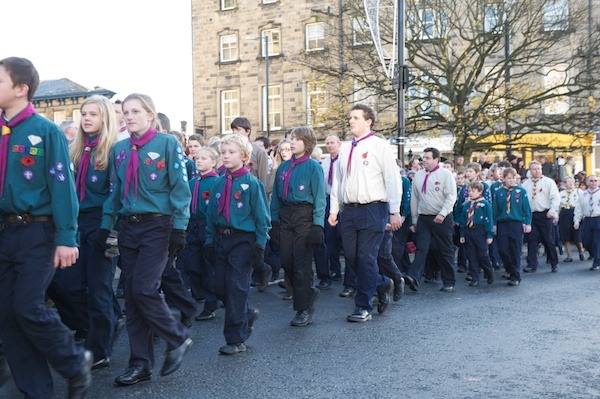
368,186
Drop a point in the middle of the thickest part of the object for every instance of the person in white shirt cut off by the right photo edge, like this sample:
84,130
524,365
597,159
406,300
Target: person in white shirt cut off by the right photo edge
587,215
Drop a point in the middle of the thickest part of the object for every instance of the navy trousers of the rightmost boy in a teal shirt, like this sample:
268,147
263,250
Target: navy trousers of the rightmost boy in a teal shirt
510,242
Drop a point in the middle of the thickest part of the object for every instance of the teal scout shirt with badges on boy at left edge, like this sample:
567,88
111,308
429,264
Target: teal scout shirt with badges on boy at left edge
39,177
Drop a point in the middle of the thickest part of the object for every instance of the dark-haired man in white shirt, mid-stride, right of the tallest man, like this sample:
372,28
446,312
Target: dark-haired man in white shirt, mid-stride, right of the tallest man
431,205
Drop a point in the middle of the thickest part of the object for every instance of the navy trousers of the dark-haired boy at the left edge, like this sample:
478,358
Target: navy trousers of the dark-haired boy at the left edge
33,336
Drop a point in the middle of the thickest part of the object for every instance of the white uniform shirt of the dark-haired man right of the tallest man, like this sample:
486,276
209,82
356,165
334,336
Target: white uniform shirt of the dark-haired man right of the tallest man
439,196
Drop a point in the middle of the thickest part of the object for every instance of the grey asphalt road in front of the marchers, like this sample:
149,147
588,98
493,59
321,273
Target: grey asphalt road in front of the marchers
538,340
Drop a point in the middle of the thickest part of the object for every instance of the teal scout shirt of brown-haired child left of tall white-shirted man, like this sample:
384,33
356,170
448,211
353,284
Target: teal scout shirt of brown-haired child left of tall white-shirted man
307,186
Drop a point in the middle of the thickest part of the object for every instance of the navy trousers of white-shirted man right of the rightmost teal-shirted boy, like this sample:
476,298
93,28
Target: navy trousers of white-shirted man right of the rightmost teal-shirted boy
541,231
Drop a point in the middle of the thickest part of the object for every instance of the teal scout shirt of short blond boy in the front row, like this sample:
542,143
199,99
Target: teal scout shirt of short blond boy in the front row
248,209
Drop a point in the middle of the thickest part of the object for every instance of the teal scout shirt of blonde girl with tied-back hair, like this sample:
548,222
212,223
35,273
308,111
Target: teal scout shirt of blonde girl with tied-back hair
162,186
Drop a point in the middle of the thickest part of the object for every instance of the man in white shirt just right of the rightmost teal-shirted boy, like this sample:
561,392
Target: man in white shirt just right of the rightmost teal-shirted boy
544,200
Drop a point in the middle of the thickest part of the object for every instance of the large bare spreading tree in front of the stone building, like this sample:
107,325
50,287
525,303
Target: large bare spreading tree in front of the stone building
488,72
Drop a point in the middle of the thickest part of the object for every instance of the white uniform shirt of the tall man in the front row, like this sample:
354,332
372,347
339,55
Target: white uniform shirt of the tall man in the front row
373,176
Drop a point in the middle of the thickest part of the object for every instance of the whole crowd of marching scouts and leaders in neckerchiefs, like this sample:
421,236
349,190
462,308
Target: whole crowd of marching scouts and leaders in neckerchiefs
198,221
